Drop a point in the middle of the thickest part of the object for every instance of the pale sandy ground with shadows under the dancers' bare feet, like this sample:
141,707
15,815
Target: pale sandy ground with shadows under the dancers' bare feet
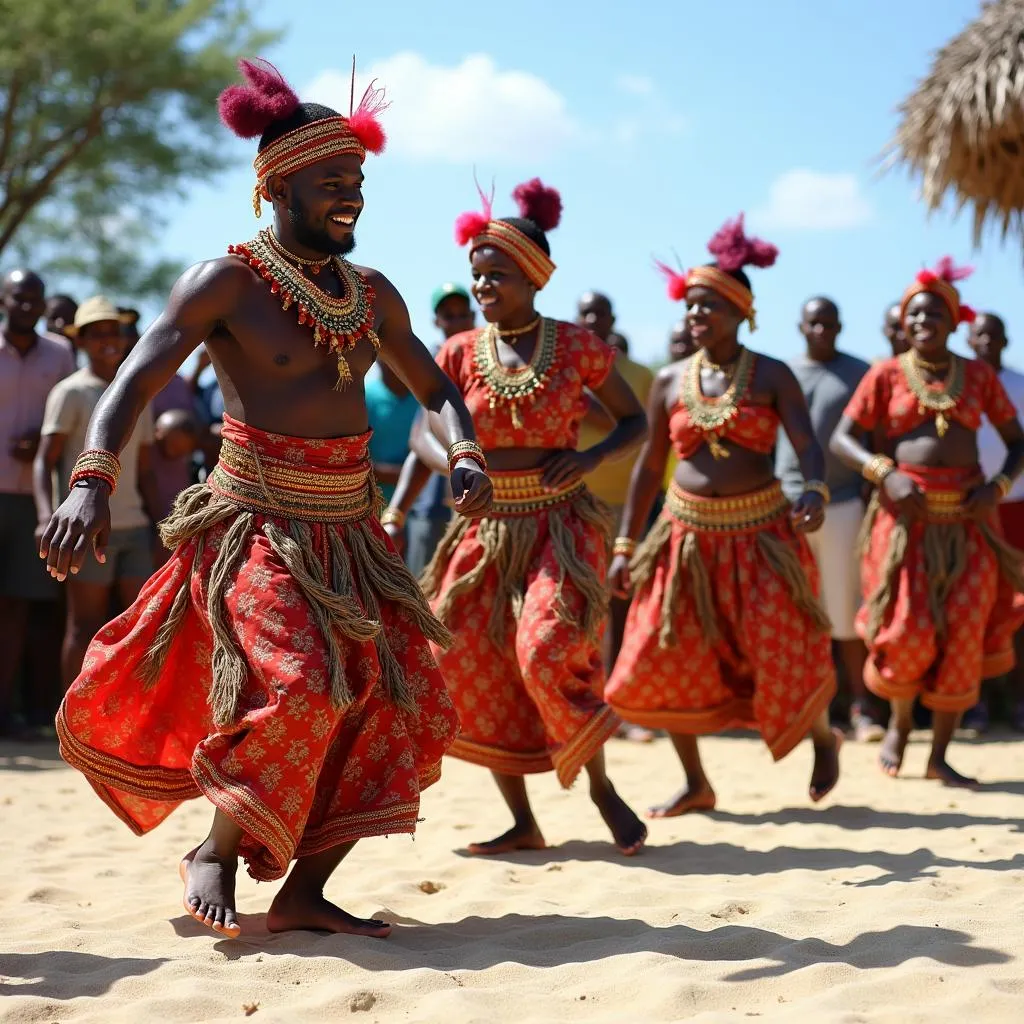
898,902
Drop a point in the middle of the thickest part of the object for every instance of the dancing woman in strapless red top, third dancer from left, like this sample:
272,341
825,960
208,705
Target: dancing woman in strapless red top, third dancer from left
726,629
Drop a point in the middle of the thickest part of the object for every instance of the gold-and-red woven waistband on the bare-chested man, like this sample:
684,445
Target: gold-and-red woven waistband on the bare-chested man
274,487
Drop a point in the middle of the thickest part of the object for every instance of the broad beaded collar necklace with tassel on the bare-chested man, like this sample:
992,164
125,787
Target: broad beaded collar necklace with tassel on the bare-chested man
336,324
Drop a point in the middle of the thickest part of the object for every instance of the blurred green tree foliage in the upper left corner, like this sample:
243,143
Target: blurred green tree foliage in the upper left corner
108,108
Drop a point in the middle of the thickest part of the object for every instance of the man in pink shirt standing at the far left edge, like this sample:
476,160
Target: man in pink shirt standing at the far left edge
30,365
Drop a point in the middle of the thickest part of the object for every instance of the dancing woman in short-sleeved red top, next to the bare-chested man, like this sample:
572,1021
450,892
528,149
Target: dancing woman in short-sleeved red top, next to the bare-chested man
524,590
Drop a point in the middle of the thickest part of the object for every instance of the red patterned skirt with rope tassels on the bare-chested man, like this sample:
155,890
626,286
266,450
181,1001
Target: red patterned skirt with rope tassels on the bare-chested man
279,664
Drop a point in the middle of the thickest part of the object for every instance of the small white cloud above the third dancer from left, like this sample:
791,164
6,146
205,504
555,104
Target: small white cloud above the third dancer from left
815,201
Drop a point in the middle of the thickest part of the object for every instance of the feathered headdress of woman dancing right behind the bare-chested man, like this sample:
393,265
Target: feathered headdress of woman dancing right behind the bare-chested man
524,239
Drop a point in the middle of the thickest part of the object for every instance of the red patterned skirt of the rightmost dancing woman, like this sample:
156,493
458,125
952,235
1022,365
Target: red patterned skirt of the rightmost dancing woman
943,599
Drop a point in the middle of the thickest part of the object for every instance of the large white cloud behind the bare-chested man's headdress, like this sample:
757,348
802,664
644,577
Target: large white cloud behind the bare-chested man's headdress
473,112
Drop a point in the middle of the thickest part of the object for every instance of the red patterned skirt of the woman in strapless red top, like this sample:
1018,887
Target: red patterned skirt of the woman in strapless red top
726,630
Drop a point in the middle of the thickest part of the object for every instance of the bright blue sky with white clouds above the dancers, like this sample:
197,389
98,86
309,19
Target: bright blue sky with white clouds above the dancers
657,121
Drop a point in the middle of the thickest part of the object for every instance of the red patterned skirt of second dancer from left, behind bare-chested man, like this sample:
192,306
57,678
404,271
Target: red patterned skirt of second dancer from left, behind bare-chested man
524,594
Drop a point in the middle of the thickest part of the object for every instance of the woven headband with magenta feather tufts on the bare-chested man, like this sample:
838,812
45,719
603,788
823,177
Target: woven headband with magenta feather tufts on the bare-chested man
293,135
